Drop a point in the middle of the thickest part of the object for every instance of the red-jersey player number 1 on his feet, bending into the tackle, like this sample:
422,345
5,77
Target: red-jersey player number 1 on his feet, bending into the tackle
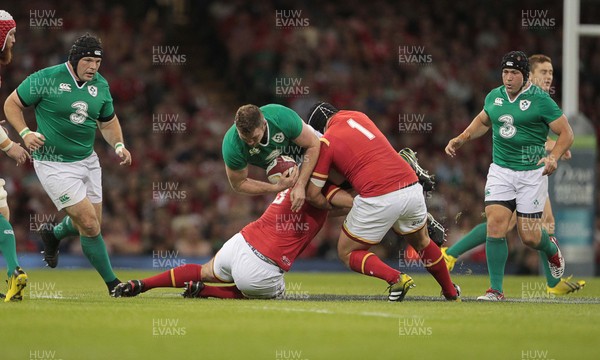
389,196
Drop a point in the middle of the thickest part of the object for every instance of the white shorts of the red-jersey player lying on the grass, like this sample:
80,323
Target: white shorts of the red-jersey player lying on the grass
255,278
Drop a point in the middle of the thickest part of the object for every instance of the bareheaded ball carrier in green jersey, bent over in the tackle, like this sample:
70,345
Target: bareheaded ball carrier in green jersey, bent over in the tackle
260,135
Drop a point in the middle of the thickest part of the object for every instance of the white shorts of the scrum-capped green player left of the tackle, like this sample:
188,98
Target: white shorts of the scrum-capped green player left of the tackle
69,183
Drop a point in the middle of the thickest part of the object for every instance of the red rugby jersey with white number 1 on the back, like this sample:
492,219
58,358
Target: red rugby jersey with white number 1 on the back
356,148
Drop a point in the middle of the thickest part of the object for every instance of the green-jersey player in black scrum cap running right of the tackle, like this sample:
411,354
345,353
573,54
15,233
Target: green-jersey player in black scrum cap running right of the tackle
520,115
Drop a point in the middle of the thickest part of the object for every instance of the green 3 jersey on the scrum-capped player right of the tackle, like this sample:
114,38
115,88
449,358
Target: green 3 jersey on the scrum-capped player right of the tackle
520,127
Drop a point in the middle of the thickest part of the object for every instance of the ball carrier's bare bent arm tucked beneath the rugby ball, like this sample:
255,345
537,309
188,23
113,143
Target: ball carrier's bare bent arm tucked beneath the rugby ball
241,183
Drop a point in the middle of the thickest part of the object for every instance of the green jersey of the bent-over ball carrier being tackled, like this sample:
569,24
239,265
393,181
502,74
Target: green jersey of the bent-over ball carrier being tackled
283,125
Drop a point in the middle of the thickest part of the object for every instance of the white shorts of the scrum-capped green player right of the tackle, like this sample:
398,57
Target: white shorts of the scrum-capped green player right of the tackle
528,187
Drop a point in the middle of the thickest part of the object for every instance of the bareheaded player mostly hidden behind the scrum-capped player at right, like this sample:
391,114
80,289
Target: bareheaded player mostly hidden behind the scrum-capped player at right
541,74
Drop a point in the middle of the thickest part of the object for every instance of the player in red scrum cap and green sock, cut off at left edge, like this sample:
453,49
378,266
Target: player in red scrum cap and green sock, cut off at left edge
17,278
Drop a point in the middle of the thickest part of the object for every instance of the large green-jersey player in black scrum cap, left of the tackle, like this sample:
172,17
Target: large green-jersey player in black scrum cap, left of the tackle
71,101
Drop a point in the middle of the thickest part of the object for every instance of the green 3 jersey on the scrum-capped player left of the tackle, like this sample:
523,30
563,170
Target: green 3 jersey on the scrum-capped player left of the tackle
66,113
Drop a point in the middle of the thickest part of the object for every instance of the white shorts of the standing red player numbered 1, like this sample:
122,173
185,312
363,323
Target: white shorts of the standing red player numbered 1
370,218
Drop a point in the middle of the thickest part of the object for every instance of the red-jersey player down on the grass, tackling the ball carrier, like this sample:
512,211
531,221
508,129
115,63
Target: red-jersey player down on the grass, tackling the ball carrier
253,260
